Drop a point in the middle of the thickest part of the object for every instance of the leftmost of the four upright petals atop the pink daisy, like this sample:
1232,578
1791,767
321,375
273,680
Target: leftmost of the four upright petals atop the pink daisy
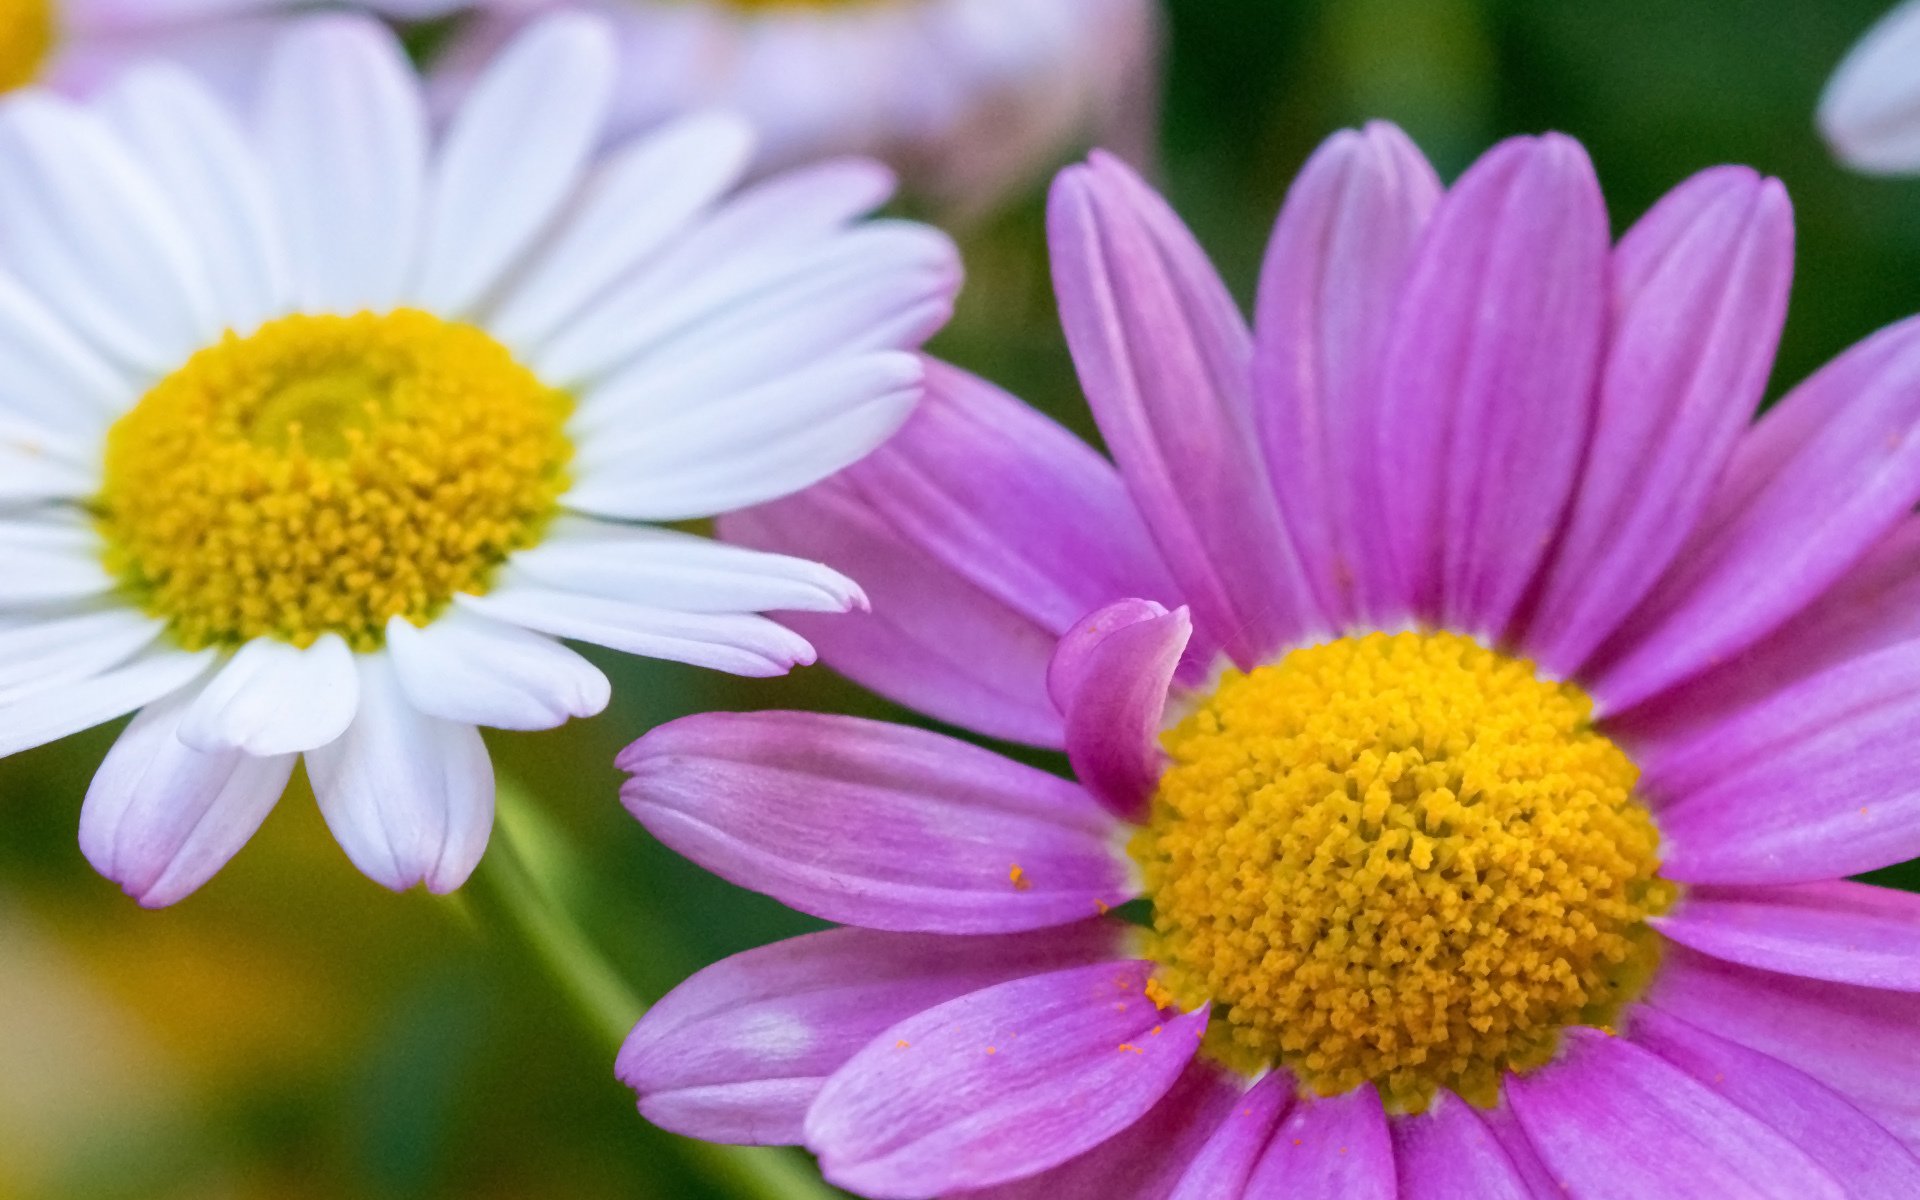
1164,358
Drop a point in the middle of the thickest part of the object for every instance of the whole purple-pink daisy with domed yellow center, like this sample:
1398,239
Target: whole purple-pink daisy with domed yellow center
1485,711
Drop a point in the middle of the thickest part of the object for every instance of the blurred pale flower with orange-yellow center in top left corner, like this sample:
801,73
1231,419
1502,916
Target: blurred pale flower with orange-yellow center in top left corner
80,45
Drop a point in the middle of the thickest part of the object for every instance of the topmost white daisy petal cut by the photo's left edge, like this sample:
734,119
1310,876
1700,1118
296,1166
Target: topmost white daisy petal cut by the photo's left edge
85,229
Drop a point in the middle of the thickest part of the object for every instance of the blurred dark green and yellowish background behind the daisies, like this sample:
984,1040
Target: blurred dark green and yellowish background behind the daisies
295,1032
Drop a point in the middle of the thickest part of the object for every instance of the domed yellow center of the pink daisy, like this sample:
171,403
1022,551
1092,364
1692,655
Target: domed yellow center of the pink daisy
1399,859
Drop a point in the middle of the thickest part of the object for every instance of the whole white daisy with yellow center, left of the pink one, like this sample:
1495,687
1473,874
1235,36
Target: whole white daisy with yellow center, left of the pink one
318,437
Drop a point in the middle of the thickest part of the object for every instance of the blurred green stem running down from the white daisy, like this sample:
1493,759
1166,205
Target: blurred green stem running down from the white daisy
525,853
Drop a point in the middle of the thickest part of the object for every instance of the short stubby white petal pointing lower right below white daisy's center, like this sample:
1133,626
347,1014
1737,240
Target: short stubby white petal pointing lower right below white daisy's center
483,673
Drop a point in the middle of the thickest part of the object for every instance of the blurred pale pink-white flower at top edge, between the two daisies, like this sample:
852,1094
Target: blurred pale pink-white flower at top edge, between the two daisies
969,99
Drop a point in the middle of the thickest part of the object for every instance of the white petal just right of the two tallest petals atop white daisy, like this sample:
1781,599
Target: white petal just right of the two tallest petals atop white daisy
646,195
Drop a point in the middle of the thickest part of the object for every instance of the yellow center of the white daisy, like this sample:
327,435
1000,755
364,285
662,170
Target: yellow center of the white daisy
327,475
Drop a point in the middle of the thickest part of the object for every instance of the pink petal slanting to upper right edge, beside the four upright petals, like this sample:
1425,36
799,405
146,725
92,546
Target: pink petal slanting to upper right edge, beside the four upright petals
1819,483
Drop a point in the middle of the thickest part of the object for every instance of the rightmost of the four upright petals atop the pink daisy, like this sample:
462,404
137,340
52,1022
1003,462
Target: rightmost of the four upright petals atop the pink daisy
1700,293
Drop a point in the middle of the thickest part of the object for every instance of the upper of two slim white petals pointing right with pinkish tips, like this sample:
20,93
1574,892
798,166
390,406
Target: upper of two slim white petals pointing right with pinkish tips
667,569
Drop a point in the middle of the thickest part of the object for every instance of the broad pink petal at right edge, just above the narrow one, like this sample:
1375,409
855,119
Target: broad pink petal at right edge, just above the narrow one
1812,784
